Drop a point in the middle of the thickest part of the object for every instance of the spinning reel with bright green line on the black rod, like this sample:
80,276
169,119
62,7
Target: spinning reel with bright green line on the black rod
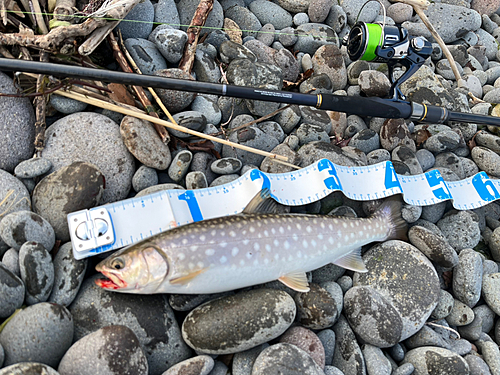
391,45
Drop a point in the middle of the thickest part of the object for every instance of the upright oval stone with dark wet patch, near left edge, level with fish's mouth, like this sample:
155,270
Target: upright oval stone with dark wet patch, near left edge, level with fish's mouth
37,272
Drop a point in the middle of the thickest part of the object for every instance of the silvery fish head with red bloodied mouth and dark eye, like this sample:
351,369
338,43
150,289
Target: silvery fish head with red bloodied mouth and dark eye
140,268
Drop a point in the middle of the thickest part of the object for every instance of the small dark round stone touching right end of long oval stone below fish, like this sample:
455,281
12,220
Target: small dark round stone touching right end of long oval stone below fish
316,309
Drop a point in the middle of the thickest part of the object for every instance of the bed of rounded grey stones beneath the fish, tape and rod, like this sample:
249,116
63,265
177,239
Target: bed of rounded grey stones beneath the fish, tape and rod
427,306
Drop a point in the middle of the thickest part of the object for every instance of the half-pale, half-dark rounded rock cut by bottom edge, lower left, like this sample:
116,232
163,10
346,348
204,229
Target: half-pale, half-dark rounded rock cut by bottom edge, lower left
111,350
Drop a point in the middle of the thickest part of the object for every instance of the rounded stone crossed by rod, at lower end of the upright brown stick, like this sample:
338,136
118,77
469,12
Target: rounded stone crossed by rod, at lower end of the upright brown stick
173,100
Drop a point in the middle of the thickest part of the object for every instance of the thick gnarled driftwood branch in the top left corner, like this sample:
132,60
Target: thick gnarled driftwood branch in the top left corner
56,37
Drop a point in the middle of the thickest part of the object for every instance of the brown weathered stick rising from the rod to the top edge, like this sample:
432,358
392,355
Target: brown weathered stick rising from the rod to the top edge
198,21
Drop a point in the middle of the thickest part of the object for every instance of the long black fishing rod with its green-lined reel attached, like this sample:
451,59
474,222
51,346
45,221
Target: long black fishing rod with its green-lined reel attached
366,41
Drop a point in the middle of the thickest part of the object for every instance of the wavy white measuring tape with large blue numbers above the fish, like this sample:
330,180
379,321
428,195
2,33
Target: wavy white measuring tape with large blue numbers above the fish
115,225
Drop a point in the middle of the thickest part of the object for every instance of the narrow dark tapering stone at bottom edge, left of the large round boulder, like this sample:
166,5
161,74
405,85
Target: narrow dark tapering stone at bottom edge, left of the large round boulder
348,356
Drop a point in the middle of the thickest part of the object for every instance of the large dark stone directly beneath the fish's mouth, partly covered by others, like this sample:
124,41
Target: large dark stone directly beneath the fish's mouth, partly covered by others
95,308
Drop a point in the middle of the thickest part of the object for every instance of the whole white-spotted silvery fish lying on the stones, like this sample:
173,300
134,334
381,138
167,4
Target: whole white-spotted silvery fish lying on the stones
242,250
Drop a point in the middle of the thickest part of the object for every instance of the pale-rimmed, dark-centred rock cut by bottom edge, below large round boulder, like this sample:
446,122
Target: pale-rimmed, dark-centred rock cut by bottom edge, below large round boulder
433,360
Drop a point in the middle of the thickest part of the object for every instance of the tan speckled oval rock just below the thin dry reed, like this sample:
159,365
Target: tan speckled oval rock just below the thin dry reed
143,142
